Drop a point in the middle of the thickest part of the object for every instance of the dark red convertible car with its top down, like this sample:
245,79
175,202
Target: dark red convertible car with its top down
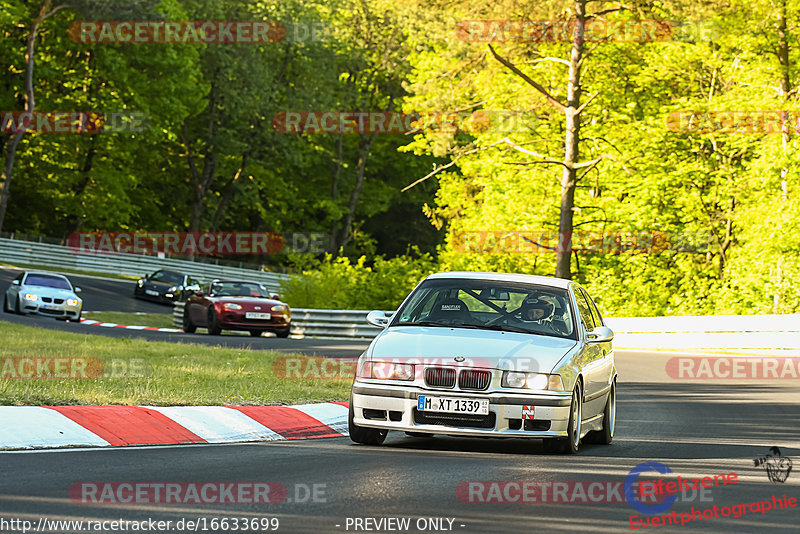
236,305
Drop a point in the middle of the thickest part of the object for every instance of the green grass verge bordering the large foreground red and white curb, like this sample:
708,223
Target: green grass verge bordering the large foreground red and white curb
153,373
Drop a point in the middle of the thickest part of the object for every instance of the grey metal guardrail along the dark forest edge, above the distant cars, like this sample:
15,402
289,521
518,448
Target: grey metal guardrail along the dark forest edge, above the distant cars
58,256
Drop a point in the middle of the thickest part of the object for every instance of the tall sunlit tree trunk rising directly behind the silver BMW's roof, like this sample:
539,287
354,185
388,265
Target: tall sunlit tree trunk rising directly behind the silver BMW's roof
572,146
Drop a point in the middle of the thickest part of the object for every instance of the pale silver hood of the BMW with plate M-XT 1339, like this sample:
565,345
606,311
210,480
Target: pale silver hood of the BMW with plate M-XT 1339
479,348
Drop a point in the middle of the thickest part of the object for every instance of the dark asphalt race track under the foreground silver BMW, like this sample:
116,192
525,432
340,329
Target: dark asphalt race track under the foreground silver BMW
697,428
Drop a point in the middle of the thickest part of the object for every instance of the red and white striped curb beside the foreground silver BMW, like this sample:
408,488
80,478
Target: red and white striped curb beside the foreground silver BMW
29,427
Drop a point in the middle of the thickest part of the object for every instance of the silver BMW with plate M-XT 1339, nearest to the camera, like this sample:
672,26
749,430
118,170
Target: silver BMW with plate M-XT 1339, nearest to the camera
489,355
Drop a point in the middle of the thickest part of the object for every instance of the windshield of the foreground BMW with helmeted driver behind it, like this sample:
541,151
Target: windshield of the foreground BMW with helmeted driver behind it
489,305
